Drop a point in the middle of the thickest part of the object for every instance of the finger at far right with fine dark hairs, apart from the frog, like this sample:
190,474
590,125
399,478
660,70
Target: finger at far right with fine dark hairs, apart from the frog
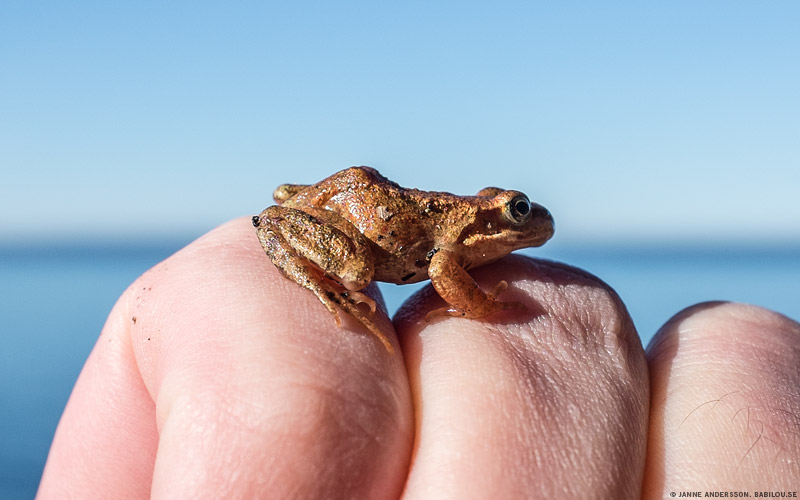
725,412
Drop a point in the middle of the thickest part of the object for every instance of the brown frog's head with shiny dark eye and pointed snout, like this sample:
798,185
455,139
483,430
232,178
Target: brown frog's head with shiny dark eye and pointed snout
505,221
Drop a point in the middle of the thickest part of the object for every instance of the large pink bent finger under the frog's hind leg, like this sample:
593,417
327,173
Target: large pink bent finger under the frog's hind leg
256,392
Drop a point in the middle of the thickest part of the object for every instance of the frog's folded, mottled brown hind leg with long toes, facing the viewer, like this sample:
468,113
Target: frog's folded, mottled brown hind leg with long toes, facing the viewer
324,253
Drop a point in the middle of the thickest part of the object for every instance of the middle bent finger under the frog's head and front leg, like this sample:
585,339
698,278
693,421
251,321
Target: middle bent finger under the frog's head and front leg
549,403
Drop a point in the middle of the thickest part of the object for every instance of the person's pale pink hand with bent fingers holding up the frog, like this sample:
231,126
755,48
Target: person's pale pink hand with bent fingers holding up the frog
233,382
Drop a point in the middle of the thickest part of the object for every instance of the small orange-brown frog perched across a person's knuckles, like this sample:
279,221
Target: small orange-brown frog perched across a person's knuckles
356,226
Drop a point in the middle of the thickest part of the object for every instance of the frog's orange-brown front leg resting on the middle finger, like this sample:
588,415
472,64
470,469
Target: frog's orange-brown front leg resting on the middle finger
461,292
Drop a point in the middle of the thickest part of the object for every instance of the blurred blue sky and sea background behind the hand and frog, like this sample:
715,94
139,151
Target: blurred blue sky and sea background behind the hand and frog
665,139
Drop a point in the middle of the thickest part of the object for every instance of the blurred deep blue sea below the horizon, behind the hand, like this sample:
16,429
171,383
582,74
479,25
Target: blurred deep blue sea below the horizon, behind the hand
54,301
